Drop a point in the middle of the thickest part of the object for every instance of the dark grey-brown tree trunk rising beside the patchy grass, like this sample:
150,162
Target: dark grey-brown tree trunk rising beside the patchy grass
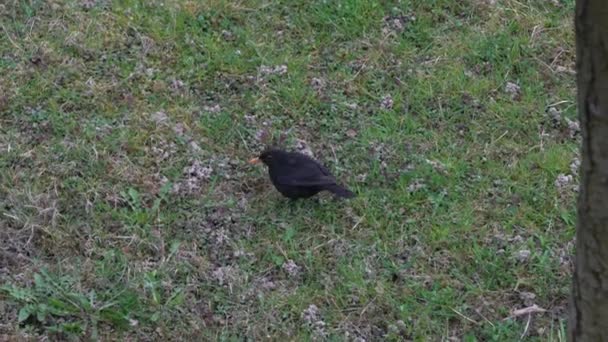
589,304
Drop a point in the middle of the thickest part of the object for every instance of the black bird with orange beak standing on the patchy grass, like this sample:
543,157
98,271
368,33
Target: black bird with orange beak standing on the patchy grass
296,175
